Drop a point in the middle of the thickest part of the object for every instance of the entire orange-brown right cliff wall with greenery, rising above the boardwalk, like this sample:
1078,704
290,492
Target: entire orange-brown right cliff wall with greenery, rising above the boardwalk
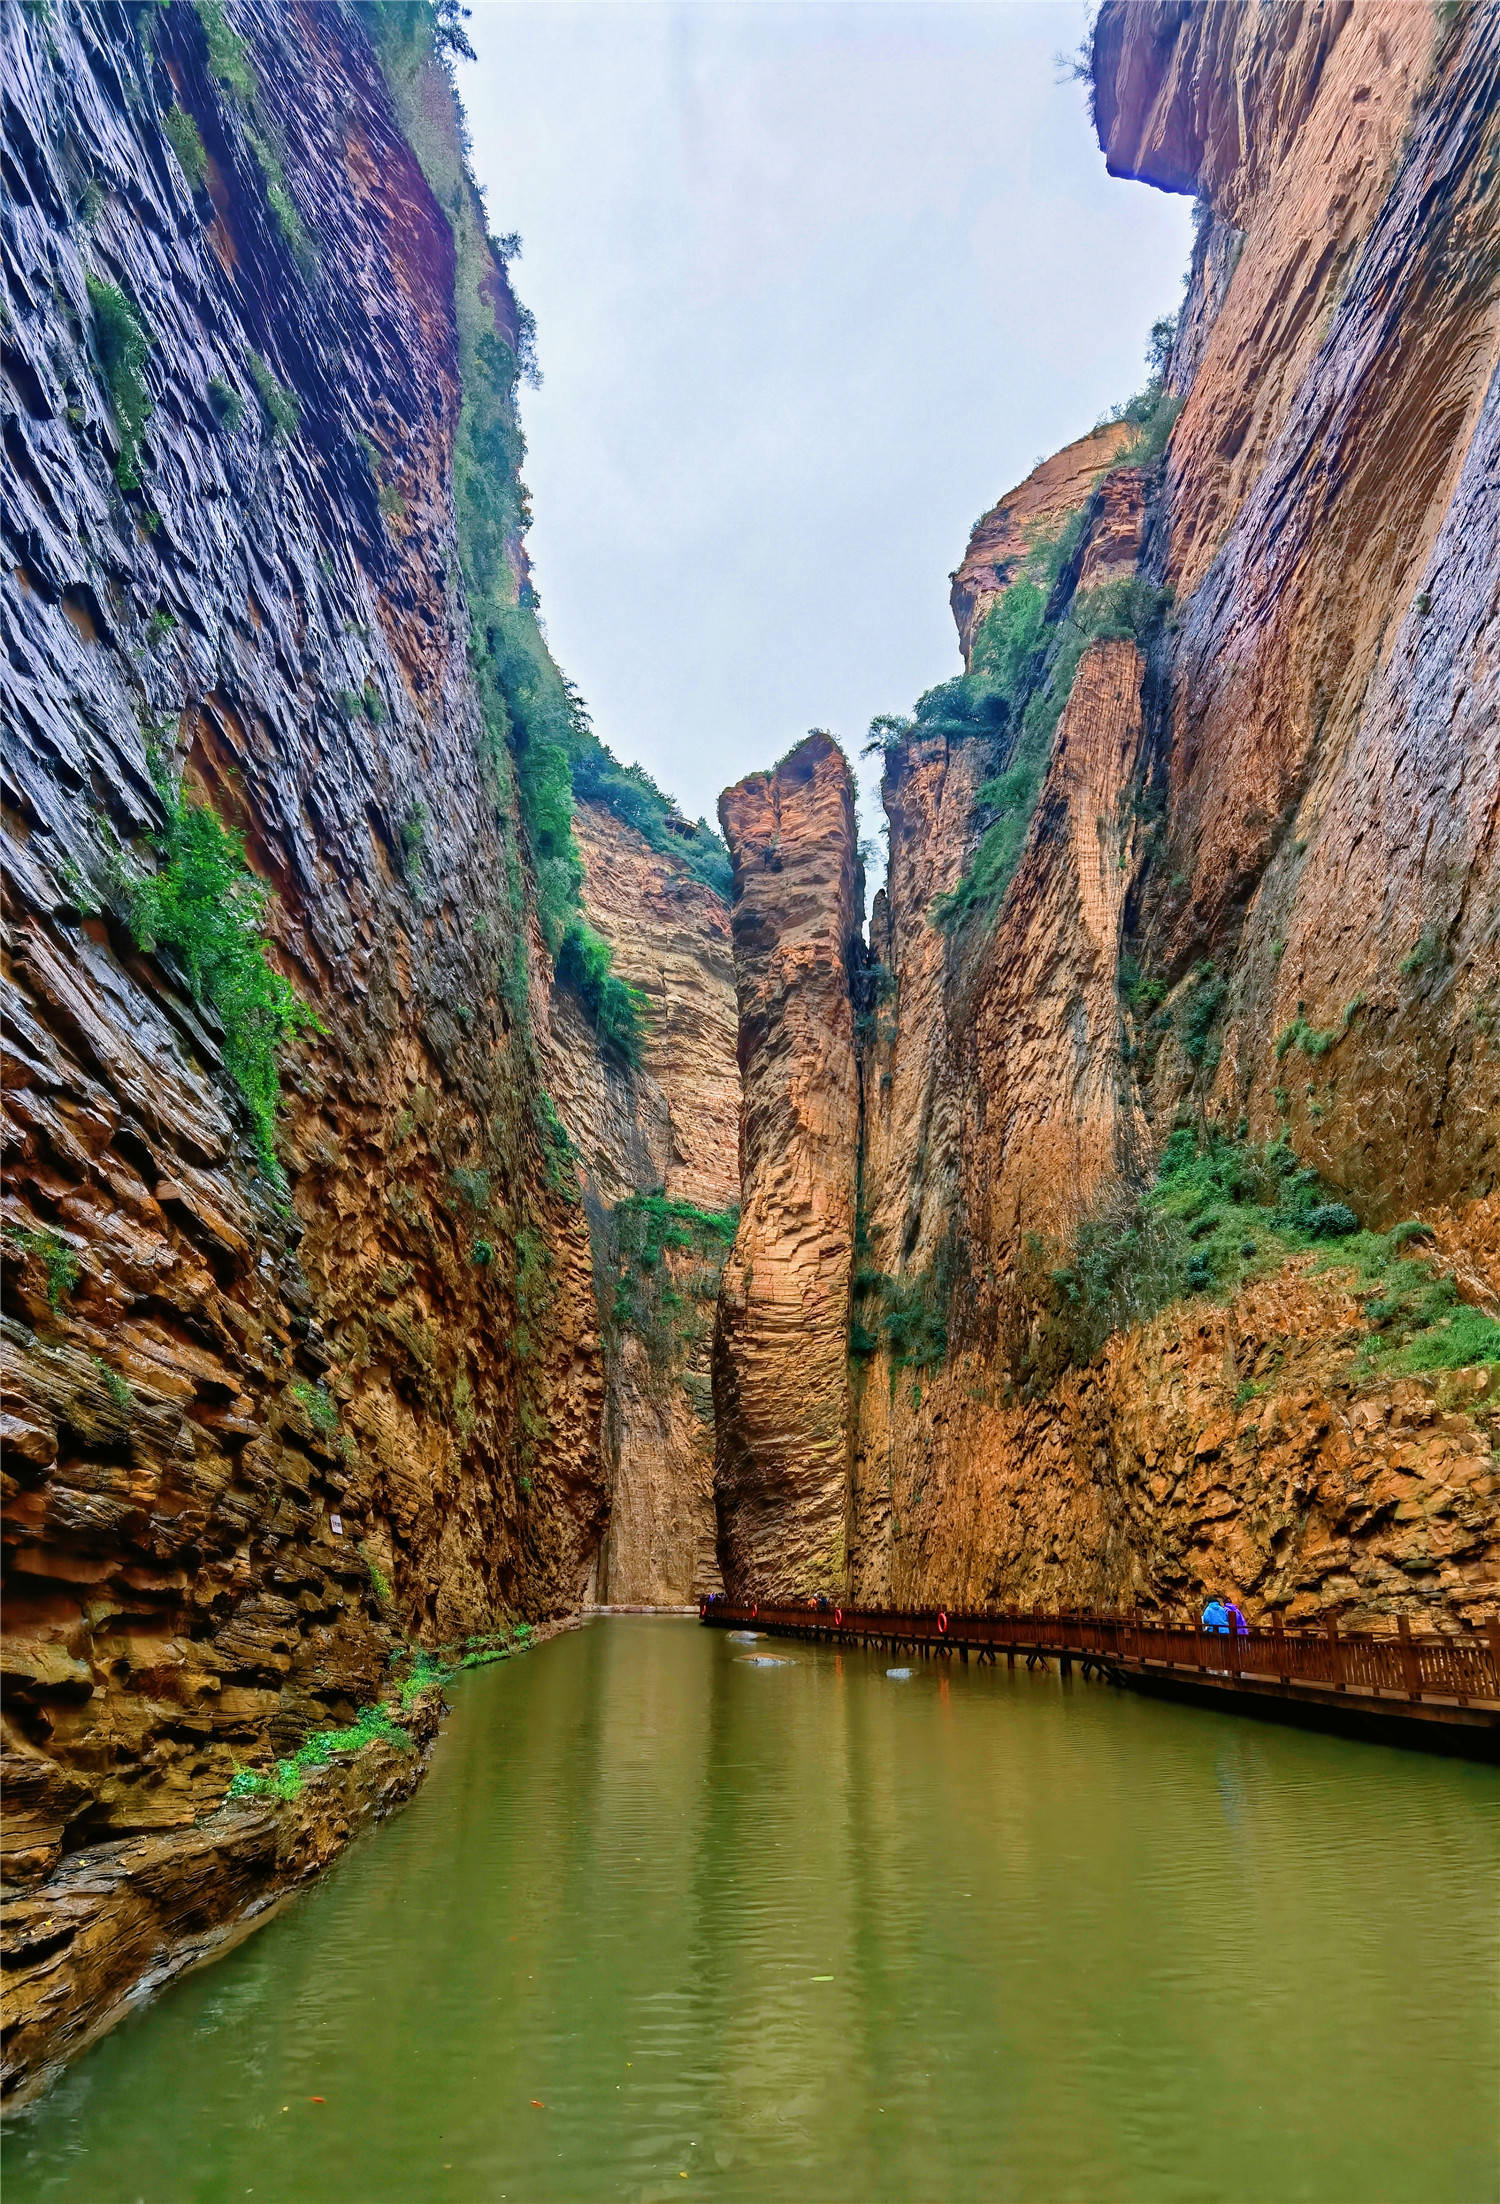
1180,1242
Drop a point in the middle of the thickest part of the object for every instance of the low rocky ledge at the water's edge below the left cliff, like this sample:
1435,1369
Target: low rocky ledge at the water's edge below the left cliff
120,1923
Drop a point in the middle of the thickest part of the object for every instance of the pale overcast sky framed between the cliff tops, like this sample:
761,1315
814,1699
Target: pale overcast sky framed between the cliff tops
814,288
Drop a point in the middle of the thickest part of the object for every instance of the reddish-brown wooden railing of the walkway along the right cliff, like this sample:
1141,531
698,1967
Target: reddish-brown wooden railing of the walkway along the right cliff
1400,1665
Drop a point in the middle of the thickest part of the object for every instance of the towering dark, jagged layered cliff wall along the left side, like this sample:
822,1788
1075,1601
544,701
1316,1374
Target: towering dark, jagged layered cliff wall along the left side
259,1418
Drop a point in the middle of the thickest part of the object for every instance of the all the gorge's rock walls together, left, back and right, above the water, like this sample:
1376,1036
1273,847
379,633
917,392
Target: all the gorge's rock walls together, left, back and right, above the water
450,1191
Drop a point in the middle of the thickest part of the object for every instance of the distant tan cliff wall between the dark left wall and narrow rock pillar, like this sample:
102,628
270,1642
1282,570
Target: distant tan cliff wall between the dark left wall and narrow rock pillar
660,1165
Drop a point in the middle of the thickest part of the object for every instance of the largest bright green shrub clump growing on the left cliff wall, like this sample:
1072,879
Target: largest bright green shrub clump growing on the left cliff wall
213,911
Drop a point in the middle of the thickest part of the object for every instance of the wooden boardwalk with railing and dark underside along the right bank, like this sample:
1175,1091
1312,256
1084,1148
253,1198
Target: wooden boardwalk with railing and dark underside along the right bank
1437,1692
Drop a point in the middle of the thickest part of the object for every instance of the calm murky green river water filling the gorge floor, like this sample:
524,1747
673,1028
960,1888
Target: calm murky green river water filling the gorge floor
671,1925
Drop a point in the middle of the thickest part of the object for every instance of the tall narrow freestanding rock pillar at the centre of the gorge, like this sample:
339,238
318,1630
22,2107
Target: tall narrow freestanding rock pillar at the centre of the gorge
781,1348
